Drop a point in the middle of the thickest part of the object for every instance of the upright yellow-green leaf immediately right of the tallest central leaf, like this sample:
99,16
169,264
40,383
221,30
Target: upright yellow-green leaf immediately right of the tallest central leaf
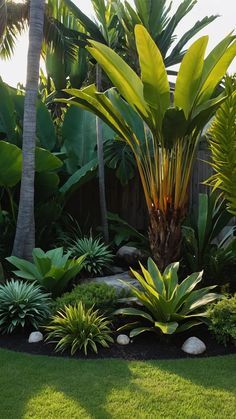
189,76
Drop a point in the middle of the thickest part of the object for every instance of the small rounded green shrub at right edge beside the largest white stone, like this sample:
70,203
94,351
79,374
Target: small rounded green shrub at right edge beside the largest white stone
222,316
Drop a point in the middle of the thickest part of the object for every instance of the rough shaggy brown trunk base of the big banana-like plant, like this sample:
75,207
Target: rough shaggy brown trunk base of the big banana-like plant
165,237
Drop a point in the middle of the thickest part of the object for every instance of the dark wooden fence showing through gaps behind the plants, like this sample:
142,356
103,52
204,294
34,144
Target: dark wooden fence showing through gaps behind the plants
128,201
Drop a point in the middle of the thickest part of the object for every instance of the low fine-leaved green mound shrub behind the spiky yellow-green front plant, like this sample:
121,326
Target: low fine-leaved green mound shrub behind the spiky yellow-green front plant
101,296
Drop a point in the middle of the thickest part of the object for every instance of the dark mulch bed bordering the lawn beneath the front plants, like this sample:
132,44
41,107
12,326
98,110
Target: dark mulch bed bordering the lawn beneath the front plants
144,347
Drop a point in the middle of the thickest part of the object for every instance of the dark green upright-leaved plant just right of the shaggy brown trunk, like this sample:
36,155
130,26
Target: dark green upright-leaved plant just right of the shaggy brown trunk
201,233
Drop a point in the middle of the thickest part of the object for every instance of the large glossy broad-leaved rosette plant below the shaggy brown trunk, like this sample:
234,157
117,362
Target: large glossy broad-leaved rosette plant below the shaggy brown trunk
168,307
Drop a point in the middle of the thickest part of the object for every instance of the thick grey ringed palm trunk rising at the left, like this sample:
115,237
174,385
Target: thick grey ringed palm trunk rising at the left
25,230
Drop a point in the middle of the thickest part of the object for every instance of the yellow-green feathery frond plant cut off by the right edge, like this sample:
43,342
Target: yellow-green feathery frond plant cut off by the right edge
222,144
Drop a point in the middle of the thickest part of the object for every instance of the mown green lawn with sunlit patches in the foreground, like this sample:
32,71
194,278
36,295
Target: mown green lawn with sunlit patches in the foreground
41,387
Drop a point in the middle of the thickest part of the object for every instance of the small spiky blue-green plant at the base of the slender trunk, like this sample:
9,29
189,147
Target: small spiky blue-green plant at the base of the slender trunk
98,255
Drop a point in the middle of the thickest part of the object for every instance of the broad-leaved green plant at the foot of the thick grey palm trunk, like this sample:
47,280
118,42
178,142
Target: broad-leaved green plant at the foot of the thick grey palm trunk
52,270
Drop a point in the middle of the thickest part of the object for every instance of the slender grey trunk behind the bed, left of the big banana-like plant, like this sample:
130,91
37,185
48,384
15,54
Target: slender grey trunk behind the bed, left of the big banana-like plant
101,174
